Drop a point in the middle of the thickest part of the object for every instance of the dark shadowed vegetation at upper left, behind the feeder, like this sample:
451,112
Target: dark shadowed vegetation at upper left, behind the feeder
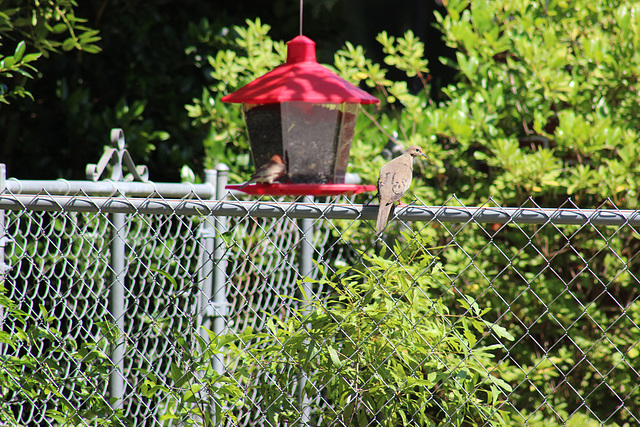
151,63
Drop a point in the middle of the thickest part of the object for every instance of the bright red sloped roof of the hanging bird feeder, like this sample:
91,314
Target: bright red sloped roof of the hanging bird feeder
301,78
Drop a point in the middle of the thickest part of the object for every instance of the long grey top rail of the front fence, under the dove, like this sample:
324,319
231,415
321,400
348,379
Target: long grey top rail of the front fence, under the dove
277,209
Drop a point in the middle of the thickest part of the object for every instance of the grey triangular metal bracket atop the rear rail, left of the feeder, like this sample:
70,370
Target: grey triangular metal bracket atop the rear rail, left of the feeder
118,157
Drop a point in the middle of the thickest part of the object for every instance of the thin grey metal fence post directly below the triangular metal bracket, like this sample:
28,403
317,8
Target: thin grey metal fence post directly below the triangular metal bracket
117,306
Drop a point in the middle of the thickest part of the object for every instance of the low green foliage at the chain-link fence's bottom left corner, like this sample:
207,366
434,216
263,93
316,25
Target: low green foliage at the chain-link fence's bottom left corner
62,384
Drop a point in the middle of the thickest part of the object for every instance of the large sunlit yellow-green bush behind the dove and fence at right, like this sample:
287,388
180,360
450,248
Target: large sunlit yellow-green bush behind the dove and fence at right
543,113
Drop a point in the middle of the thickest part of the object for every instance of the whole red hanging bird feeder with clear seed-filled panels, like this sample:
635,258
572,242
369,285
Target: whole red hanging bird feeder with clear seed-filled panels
306,114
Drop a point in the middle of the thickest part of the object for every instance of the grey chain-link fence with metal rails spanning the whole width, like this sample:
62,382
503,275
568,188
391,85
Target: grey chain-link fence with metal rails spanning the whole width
170,306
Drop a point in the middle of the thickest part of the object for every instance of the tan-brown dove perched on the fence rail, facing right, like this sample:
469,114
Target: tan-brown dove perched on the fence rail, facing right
394,181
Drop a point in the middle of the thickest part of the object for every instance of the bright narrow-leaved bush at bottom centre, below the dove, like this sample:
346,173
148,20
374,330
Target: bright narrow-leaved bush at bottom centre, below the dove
383,347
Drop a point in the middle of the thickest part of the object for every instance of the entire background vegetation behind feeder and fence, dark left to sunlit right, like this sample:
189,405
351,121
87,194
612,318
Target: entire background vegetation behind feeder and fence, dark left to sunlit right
543,111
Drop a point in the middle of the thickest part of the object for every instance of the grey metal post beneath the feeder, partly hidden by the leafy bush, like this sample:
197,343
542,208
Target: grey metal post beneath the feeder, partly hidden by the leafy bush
305,268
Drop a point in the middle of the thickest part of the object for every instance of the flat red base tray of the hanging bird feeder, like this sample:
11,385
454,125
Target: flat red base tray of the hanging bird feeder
302,189
